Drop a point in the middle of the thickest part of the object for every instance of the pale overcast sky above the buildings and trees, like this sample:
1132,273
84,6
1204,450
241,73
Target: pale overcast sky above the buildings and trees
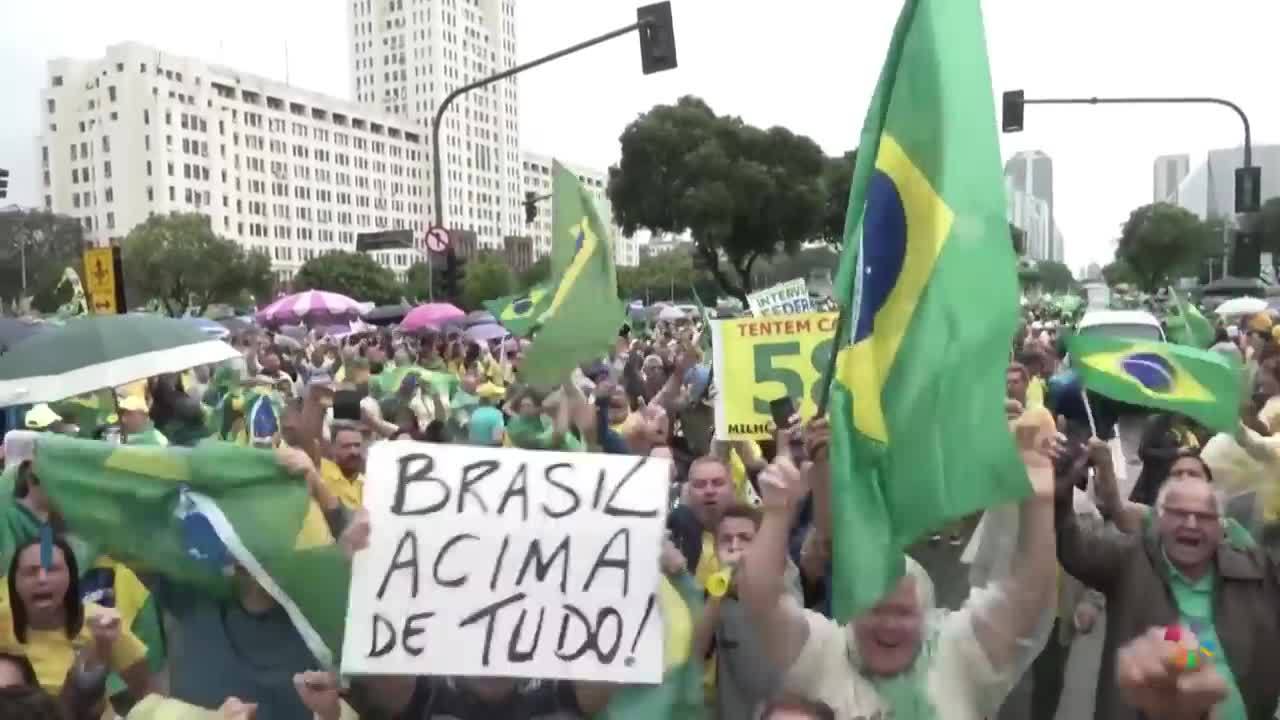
806,65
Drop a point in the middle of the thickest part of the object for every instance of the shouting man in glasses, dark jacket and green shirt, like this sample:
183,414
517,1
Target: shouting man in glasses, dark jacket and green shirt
1182,573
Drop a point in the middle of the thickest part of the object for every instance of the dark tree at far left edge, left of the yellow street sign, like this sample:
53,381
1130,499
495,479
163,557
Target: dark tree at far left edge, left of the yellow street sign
51,243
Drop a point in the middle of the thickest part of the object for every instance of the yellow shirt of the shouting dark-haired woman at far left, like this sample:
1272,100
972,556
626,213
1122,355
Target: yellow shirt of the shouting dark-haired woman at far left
53,654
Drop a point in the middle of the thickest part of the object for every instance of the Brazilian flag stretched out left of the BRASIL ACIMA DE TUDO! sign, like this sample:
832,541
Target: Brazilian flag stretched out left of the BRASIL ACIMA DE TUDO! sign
190,514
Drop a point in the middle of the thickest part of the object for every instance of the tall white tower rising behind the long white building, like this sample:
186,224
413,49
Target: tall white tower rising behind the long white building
408,56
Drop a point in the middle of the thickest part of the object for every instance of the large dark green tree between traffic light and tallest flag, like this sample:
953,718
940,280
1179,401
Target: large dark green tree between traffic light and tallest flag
743,193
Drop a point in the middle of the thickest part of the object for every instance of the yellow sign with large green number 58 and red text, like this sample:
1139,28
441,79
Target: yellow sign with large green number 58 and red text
758,361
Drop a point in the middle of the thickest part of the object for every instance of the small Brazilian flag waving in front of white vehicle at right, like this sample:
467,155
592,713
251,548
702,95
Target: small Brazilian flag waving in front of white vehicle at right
1203,385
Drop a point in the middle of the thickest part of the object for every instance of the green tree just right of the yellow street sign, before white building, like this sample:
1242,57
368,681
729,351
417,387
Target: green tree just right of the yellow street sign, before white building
180,261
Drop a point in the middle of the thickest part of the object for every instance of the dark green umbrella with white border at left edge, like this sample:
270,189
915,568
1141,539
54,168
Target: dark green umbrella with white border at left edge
103,352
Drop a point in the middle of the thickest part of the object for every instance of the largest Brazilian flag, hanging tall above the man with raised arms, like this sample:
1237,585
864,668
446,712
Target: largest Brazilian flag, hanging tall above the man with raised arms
930,298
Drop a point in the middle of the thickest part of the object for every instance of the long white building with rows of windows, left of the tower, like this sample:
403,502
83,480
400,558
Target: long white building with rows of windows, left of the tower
294,174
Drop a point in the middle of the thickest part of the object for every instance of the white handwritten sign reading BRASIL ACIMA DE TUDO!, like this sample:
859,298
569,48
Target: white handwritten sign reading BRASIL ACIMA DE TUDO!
497,562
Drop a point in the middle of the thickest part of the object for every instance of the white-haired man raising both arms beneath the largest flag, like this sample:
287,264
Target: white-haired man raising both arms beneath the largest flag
904,658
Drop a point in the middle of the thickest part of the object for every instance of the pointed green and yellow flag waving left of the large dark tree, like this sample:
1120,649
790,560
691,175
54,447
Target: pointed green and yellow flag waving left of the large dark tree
583,318
